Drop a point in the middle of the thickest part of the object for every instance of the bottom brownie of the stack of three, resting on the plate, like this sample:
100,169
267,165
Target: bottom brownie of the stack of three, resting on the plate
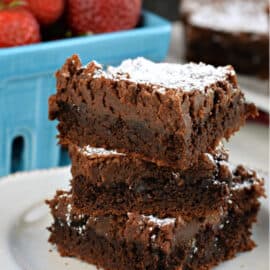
136,241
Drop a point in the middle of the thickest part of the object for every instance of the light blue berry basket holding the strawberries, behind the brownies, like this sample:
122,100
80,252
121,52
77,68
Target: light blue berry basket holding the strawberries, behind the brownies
27,138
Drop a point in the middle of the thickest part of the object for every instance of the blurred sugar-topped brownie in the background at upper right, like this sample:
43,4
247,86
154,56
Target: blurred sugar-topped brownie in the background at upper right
228,32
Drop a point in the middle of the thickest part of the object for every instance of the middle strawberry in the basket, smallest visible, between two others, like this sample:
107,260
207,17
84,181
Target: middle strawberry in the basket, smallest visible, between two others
46,11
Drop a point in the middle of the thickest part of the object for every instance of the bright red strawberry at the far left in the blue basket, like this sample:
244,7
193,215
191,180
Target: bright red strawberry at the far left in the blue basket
18,27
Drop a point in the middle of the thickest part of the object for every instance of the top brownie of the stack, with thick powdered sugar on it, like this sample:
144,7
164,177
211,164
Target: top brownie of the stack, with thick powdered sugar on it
165,113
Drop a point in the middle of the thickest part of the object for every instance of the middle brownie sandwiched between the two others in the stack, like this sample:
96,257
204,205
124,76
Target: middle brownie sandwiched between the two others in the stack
106,182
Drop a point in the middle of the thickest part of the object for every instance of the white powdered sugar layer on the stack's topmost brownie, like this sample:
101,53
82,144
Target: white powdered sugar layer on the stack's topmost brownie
185,77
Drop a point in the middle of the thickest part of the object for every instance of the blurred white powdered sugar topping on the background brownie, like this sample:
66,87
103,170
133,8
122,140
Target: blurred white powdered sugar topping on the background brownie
247,16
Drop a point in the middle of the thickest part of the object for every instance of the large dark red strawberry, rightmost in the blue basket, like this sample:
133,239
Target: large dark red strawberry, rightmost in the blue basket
99,16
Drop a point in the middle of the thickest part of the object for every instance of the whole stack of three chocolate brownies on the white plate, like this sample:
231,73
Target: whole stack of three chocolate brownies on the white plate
157,191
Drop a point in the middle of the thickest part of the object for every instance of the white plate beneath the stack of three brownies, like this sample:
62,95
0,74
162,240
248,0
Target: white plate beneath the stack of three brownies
24,218
